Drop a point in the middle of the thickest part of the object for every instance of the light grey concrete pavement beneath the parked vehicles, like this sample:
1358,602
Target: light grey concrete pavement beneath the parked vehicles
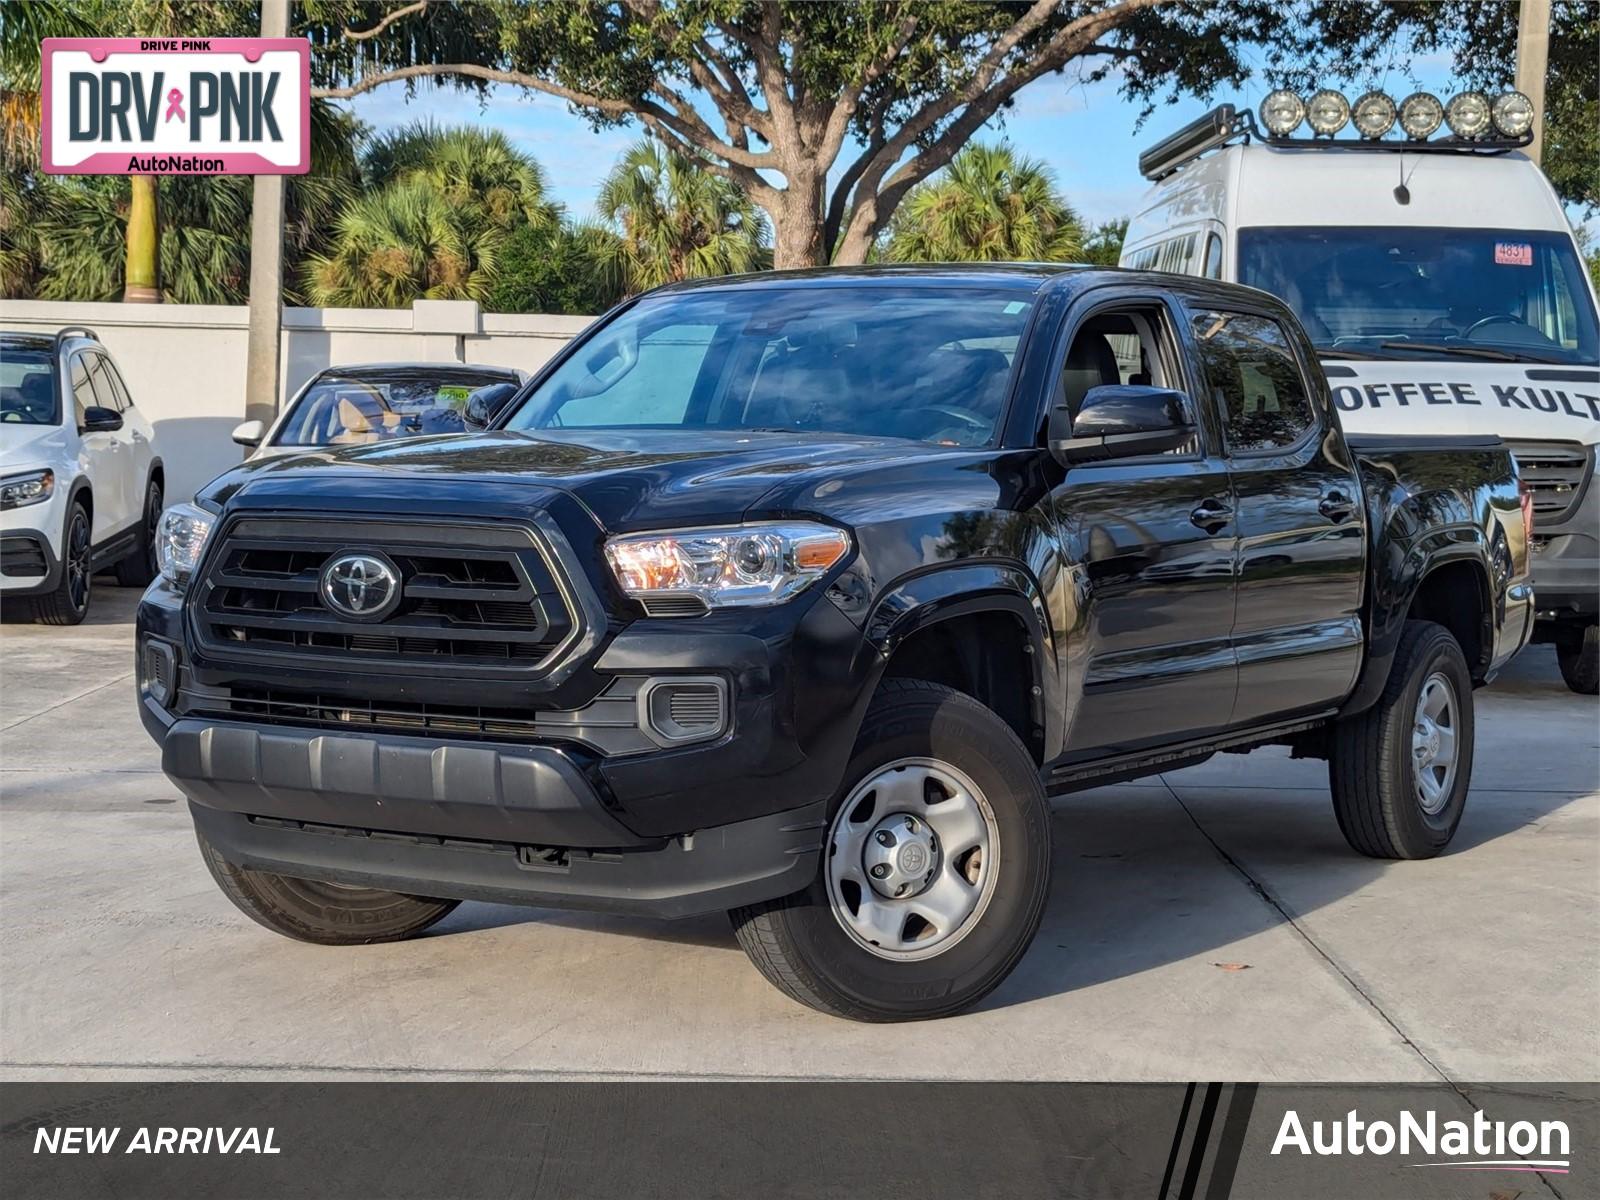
1210,924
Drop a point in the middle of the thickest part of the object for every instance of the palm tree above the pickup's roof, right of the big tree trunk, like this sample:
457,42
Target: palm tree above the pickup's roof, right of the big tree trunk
991,206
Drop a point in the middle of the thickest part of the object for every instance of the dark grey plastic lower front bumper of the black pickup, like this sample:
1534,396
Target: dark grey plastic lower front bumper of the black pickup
513,825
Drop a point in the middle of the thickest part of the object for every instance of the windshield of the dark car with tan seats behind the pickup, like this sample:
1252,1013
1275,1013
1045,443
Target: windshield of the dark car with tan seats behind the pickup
353,410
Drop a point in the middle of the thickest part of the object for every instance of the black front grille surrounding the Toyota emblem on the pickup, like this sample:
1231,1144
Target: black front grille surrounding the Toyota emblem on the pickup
471,596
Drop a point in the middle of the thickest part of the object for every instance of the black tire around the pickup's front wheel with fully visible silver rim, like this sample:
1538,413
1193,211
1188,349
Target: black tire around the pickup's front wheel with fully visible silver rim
804,950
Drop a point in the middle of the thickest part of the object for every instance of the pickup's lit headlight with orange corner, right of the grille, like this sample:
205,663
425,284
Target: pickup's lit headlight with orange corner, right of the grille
686,572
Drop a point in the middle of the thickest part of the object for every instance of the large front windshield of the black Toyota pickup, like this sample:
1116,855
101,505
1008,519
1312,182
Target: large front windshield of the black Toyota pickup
926,364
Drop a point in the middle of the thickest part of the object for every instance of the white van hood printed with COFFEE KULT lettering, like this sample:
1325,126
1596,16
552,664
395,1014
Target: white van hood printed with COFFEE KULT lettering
1511,401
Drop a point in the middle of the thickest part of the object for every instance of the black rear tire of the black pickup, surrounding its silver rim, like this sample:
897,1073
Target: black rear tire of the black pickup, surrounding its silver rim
1372,769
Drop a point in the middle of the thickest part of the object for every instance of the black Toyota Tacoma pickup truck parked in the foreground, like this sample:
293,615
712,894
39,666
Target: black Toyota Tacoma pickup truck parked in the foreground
796,596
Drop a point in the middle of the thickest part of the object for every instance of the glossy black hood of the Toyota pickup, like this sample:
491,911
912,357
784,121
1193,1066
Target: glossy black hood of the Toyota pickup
628,479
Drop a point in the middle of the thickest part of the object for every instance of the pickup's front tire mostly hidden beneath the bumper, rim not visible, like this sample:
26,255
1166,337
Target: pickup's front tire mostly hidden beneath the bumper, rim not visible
327,914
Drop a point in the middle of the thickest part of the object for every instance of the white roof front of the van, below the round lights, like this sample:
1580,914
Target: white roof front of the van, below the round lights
1263,185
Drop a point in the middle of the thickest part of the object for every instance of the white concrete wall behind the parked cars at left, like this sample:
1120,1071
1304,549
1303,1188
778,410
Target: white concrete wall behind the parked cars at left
185,364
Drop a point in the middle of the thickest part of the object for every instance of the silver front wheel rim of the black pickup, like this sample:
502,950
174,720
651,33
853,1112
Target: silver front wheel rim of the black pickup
913,860
